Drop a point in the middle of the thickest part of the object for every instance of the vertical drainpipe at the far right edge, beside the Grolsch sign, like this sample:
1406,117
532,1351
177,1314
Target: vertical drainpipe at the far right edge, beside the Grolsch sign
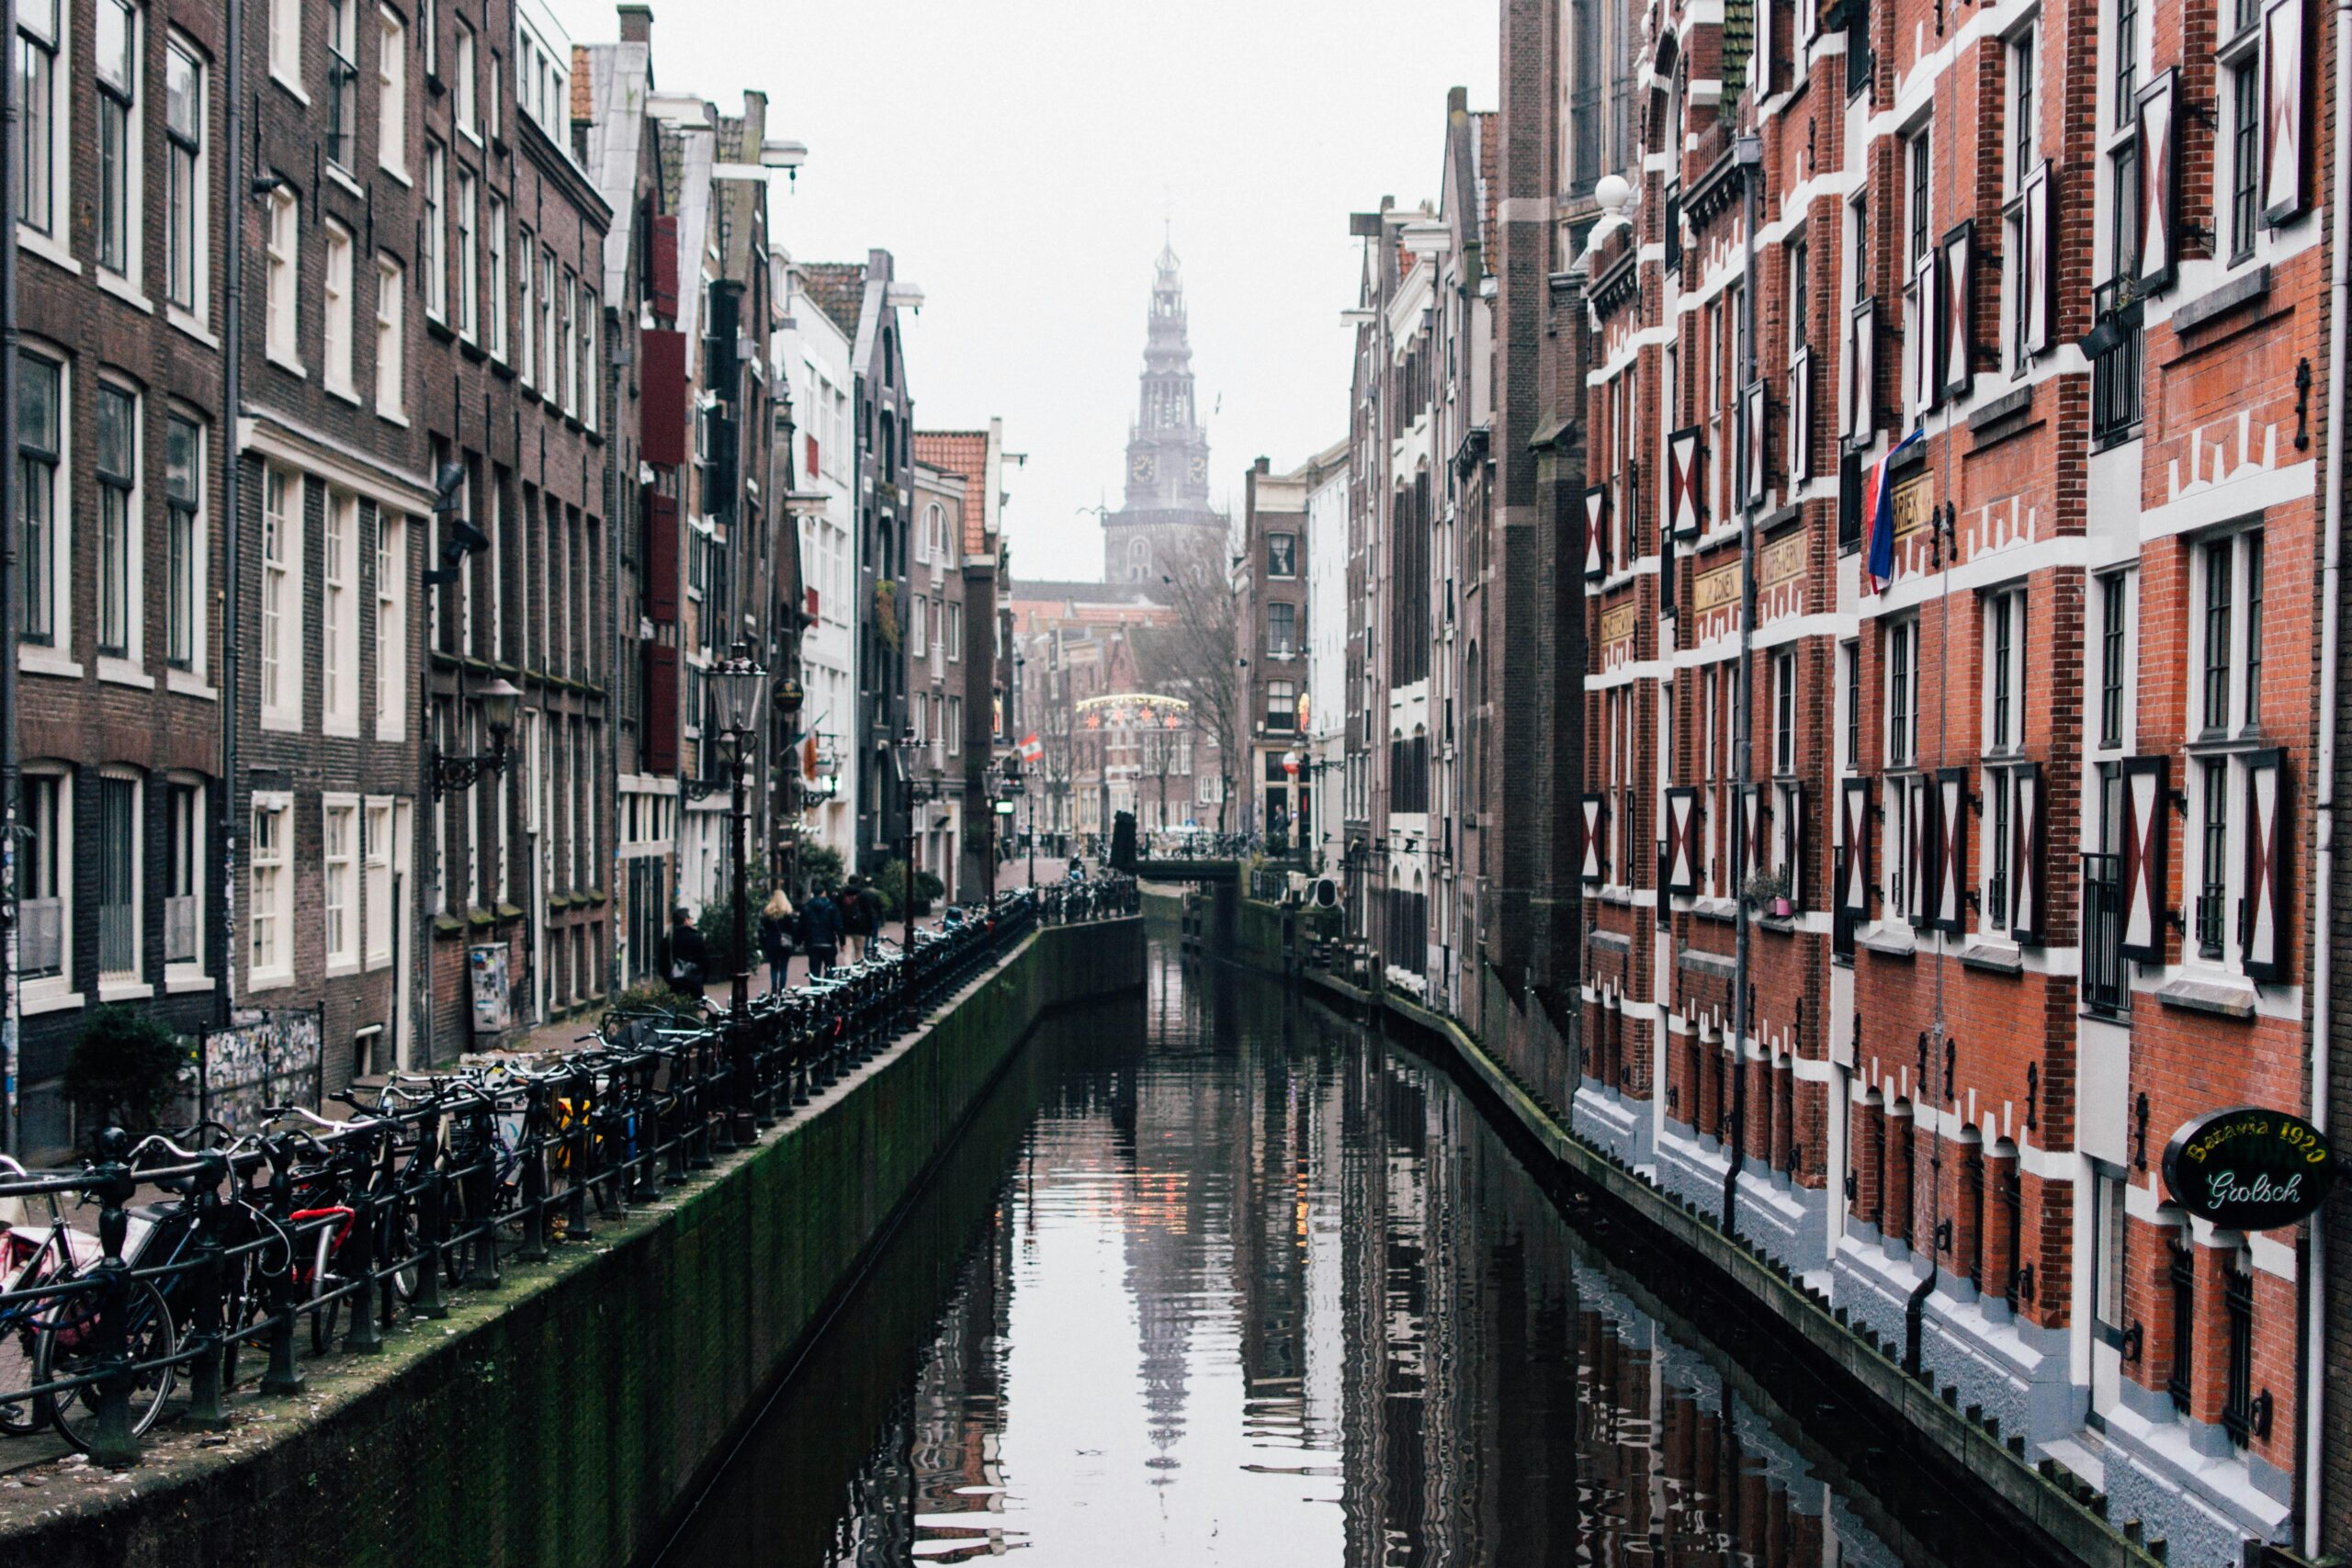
2316,1285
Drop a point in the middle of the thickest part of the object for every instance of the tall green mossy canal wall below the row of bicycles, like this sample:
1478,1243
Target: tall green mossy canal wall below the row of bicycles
566,1419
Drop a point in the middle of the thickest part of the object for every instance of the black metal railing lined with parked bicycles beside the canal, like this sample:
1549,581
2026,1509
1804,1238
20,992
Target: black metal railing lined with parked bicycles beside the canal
432,1184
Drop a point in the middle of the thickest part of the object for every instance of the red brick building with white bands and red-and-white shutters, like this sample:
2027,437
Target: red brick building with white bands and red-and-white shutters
1930,894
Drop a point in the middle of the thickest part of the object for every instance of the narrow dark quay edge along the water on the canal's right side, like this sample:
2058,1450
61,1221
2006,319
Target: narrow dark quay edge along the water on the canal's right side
1937,1430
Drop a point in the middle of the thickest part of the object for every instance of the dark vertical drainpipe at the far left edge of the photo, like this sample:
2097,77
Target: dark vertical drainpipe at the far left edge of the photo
11,756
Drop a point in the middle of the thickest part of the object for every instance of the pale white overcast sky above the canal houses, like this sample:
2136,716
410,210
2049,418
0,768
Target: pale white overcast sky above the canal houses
1020,156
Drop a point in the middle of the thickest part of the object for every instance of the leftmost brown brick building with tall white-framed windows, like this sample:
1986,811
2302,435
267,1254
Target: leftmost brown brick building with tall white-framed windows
121,455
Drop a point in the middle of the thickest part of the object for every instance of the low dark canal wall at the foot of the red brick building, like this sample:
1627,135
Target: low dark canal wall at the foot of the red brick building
1951,1440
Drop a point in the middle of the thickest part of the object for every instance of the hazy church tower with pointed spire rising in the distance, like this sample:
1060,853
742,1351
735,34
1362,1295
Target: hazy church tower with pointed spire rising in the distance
1168,516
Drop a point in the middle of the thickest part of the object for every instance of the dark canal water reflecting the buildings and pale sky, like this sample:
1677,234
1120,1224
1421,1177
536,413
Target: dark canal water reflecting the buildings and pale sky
1220,1278
